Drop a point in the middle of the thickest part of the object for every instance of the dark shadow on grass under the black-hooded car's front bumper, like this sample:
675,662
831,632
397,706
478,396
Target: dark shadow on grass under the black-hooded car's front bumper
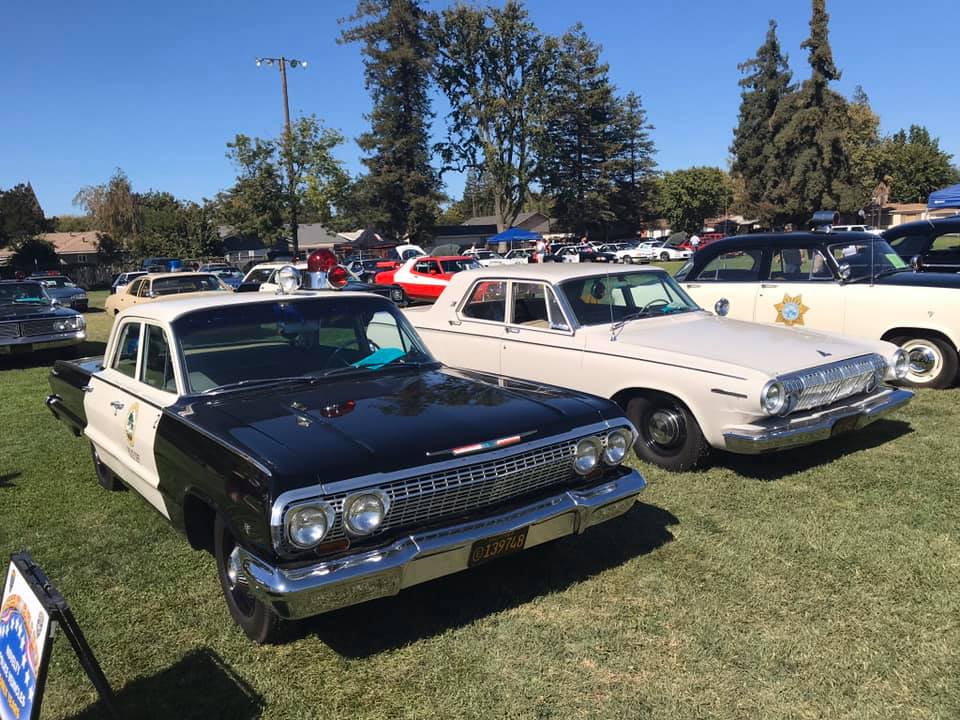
457,600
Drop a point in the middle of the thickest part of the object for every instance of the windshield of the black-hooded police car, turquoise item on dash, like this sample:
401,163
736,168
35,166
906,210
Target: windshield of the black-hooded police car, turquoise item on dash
303,339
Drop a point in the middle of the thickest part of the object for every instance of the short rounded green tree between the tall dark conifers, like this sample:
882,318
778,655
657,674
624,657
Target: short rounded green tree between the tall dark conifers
687,197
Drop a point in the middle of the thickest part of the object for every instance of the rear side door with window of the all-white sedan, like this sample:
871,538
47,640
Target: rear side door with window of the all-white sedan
478,328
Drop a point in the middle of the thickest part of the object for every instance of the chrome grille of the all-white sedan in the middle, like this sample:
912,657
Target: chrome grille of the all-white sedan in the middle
826,384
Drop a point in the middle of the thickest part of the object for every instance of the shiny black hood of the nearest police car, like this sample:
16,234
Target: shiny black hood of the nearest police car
388,422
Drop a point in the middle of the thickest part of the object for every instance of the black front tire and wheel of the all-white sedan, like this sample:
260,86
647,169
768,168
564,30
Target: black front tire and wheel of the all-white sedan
668,434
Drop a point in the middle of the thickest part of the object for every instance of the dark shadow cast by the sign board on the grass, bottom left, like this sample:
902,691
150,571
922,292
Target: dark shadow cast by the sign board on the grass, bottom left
200,685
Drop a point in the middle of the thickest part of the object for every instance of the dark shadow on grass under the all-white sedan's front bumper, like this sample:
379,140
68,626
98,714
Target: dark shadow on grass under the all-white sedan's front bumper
774,466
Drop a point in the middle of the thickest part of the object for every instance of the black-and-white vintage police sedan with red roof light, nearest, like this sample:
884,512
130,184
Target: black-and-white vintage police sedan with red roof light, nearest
315,446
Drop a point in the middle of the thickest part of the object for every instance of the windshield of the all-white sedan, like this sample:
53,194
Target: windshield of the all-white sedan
600,299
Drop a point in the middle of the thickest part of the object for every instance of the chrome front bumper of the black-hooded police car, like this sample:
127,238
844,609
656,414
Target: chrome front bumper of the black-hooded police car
304,591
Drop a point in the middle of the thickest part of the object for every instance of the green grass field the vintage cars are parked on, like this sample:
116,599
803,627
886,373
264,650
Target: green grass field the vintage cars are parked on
819,583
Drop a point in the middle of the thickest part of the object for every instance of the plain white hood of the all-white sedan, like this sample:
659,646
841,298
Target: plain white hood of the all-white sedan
714,343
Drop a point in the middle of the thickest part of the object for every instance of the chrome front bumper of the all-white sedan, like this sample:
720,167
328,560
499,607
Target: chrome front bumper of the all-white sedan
814,426
